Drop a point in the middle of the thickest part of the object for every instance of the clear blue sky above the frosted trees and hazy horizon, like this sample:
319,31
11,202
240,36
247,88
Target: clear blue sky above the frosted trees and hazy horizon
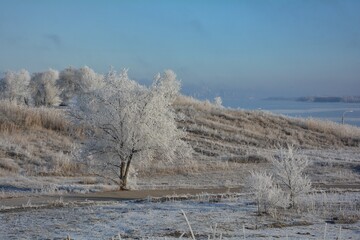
259,48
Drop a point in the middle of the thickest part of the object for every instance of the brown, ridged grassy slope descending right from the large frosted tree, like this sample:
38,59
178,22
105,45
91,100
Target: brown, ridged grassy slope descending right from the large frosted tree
236,134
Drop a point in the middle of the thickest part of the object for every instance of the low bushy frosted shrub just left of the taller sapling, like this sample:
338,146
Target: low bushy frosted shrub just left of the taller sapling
267,193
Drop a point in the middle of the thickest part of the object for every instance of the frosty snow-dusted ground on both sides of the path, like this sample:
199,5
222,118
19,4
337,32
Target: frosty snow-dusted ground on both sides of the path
325,216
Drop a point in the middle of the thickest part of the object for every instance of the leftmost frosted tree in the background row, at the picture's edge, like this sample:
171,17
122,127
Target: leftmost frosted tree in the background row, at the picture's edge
14,86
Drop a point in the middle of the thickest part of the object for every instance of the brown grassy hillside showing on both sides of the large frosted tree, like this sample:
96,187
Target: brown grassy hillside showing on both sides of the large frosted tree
39,141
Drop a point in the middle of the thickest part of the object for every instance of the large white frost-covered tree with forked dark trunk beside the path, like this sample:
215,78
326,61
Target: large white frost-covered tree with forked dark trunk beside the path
132,124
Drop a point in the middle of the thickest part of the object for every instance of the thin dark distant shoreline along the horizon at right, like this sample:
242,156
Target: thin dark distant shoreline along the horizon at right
350,99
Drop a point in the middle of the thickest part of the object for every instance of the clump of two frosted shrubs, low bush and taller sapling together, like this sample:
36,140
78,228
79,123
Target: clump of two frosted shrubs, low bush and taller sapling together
284,185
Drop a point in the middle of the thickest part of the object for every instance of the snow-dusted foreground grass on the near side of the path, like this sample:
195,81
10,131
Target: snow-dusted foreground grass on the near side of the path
230,218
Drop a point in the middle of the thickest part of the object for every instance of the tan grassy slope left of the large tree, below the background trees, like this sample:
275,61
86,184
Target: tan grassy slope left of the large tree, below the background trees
35,141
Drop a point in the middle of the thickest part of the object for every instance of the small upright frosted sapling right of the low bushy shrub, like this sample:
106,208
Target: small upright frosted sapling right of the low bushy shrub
288,169
